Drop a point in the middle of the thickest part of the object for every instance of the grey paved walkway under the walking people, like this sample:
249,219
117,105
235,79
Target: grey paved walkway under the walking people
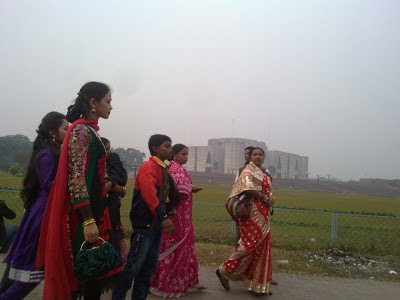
290,287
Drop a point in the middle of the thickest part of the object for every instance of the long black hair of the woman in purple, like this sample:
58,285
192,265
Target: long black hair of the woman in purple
51,122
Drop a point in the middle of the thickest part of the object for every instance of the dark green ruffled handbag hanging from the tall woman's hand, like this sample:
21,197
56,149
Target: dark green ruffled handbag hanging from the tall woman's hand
96,262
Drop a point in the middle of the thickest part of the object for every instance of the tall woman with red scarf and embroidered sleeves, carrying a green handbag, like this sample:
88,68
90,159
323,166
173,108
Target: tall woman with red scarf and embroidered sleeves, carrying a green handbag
77,207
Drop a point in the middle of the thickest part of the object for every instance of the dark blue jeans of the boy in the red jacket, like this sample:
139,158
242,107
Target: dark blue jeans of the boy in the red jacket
141,264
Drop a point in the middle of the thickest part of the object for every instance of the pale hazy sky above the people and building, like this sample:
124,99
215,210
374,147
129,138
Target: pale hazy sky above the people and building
315,78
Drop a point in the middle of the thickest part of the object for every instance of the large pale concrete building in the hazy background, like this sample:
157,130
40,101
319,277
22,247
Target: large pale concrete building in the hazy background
226,155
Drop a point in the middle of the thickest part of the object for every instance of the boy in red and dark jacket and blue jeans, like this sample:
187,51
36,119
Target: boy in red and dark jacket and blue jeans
155,197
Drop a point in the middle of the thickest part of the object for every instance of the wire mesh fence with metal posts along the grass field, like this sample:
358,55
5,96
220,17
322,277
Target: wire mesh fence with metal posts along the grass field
290,228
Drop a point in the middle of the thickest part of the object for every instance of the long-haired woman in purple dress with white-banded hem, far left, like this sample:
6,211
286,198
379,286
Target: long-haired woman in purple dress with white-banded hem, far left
42,169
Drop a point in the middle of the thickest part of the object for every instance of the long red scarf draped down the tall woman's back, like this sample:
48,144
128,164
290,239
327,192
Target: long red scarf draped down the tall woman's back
54,246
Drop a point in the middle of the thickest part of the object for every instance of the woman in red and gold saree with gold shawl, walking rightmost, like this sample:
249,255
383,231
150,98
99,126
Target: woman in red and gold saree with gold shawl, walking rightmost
251,261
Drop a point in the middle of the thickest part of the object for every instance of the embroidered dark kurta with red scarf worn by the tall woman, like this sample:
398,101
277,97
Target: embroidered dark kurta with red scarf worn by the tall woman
79,182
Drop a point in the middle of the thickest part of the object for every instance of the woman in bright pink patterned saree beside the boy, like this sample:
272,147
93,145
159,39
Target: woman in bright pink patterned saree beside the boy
178,272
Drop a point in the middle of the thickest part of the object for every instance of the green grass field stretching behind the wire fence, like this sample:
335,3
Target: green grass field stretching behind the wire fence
290,229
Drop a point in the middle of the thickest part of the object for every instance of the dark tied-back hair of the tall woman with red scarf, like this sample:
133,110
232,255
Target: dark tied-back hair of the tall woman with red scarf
81,106
